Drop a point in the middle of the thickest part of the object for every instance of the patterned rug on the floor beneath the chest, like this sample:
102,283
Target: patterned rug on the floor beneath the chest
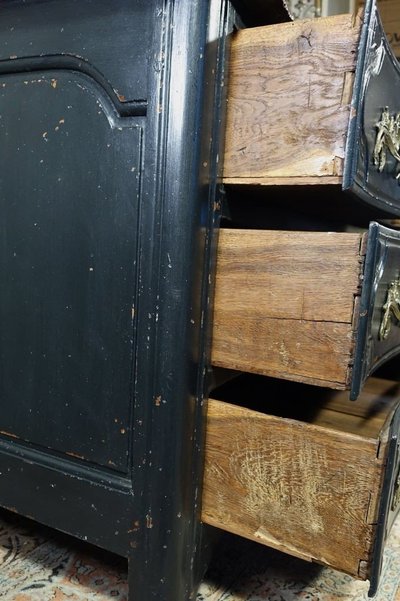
38,564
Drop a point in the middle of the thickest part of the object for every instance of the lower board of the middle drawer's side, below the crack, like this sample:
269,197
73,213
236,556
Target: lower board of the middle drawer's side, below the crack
314,353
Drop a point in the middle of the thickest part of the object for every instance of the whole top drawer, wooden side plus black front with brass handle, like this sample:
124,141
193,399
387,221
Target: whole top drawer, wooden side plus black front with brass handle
316,102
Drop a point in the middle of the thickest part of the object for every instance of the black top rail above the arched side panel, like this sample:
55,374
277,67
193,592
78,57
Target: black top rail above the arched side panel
111,38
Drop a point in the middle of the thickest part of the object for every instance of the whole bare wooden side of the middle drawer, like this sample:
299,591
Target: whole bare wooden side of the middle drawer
284,304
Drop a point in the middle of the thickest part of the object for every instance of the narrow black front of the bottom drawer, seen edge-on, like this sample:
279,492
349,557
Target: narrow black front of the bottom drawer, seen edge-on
389,504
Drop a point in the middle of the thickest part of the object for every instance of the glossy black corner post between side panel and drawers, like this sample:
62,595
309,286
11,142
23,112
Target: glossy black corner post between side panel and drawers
178,214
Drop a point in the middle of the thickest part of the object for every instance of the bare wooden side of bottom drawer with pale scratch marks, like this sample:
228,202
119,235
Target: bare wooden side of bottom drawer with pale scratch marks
301,488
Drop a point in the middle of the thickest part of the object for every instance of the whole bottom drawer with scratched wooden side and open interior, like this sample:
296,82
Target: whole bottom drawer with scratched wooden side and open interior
304,471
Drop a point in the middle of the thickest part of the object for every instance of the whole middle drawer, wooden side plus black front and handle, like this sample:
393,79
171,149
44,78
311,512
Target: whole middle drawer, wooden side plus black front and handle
313,307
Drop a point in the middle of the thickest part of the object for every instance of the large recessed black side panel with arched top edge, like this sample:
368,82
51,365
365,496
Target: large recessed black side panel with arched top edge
69,188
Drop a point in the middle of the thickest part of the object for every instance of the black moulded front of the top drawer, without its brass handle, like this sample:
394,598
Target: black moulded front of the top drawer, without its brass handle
377,85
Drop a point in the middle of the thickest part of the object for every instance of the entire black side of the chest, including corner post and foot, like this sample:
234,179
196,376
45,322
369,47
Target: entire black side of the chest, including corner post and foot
110,120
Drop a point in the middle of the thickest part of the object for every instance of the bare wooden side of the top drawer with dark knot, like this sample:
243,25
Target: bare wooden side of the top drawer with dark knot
289,97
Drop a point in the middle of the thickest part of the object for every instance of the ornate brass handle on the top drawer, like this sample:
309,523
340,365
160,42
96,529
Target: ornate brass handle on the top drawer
387,139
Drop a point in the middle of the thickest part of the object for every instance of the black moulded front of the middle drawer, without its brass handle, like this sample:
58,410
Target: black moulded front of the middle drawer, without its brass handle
382,267
